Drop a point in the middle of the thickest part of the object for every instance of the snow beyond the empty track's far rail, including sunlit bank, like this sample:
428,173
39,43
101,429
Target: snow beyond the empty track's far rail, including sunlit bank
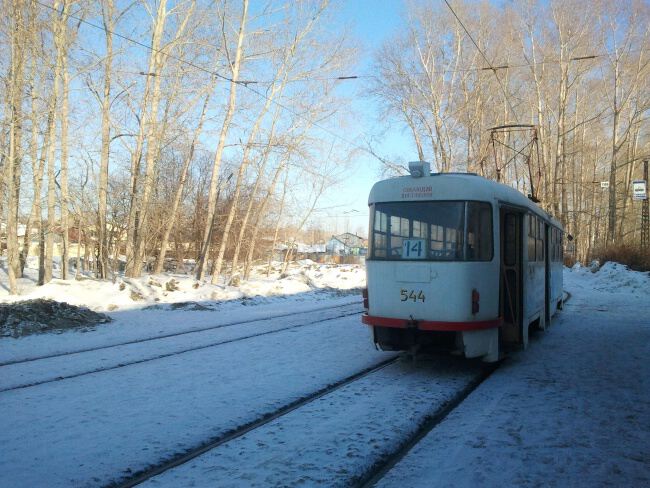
307,286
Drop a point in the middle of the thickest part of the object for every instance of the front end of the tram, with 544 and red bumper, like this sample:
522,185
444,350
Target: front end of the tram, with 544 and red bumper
432,280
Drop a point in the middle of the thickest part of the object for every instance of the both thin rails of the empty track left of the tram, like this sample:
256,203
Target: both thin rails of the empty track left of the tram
176,352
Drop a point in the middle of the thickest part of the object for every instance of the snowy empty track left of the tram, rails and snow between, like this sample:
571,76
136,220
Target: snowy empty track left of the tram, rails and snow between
36,372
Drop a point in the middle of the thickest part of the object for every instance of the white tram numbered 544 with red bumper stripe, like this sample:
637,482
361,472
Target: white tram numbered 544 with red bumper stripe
458,262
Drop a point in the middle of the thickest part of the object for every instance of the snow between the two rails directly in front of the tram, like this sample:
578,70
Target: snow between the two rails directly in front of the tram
342,437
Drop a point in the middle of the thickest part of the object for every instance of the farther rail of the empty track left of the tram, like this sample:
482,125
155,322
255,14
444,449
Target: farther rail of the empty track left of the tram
174,334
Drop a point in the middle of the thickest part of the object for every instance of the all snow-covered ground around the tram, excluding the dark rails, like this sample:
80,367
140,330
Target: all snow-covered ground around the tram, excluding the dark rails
572,410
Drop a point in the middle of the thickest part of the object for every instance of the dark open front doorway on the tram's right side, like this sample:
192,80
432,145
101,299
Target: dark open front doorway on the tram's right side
510,290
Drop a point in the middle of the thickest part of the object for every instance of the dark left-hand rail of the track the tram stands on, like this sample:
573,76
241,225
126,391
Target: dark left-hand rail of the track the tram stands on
183,458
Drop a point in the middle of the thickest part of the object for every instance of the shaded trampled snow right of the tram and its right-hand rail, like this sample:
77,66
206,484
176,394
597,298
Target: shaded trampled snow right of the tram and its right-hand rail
573,410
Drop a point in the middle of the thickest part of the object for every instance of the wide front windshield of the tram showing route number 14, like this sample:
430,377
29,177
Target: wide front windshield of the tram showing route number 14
431,231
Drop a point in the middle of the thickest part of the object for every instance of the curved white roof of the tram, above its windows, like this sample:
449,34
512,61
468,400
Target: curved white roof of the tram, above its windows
451,186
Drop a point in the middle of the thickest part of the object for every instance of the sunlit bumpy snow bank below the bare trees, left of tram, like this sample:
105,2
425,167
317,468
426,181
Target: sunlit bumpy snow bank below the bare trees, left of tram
168,288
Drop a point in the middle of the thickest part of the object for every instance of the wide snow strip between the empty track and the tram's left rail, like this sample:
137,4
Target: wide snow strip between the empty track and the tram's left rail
88,431
